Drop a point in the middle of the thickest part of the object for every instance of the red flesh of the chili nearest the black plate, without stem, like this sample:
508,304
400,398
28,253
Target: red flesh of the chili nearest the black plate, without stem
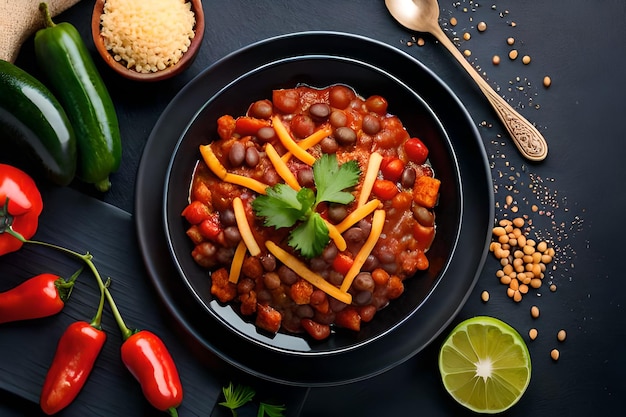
149,361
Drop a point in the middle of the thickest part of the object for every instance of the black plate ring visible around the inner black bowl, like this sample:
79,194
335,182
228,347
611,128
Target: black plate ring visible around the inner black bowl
474,212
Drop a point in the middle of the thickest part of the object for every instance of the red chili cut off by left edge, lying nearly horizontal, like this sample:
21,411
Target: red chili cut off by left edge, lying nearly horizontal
40,296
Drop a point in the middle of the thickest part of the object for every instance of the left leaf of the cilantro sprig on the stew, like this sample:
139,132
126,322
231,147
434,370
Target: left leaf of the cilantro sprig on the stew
280,206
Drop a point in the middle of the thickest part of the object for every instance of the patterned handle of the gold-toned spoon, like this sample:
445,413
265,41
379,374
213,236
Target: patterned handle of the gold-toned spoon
531,144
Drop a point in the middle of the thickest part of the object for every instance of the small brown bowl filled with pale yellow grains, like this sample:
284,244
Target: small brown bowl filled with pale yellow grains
142,47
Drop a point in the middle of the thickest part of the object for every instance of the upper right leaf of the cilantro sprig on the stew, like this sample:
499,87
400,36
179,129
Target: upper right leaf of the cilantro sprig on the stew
331,179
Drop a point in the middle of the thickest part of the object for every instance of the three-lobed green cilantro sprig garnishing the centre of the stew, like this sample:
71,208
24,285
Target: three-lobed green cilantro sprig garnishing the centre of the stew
282,206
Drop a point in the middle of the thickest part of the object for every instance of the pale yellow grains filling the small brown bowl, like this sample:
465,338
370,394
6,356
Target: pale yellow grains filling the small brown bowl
148,36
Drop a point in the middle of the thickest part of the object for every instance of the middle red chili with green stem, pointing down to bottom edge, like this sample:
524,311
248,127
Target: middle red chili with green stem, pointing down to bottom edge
76,354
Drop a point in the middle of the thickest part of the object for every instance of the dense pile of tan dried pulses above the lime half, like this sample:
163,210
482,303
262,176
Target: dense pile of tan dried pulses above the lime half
522,259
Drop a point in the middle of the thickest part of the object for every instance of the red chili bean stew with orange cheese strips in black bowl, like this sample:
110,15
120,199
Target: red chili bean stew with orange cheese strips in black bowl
375,241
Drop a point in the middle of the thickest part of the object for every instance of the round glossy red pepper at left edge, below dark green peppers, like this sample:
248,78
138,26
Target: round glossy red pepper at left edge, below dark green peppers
20,207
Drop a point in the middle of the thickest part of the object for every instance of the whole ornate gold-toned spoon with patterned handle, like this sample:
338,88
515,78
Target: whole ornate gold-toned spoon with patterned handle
423,16
